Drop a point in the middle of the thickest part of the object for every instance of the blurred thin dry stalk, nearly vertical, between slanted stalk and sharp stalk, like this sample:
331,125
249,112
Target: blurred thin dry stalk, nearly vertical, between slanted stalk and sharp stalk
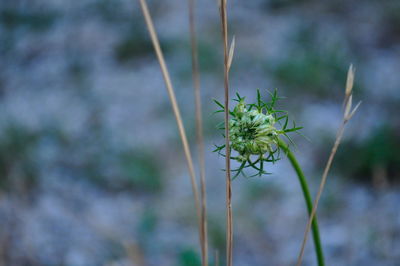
199,133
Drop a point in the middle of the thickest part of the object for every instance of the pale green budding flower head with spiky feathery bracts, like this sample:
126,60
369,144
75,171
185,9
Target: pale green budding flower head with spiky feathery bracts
254,132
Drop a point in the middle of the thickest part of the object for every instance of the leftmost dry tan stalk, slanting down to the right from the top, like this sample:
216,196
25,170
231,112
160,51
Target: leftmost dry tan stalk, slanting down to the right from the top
175,108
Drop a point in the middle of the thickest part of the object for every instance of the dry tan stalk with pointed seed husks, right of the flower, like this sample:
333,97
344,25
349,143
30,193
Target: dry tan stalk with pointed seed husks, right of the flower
348,114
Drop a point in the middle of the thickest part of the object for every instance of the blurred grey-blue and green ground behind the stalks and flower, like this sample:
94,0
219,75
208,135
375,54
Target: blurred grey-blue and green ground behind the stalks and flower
91,166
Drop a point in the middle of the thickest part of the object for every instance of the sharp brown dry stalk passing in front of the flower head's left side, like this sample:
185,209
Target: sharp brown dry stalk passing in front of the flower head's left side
227,60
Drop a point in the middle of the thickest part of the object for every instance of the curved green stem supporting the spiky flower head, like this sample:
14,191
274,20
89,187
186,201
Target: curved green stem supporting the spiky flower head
308,199
